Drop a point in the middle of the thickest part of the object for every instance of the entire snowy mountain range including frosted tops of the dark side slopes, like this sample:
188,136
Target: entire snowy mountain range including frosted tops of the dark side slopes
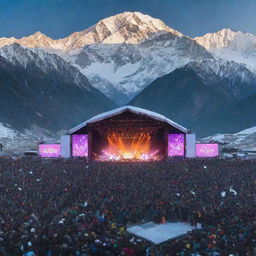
122,54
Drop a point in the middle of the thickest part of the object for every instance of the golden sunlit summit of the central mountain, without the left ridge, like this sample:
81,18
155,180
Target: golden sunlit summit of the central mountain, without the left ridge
126,27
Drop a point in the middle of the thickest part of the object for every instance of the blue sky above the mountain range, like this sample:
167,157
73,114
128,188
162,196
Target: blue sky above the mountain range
59,18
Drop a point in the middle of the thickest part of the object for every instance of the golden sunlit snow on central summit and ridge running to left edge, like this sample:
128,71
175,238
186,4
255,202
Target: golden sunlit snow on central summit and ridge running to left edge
127,27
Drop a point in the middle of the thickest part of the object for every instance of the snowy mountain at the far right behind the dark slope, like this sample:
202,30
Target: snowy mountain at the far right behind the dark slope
227,44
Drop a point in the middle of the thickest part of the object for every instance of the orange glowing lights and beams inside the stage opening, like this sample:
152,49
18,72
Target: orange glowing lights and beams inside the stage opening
123,147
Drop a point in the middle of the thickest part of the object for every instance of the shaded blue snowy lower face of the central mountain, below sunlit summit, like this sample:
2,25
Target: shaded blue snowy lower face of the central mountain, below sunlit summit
129,68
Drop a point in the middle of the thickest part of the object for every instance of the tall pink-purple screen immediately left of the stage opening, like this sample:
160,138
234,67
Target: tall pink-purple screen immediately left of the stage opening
80,145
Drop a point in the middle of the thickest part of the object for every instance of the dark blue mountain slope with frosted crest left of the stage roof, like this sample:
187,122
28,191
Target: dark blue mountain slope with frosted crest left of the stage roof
45,98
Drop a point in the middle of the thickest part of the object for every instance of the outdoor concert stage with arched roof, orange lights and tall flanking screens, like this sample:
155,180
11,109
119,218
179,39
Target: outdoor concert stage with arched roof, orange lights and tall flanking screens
128,134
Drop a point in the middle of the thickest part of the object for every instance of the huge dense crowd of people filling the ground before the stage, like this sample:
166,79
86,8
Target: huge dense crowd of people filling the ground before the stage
71,208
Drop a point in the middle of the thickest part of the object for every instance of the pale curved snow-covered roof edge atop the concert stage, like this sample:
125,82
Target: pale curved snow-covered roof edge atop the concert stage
136,110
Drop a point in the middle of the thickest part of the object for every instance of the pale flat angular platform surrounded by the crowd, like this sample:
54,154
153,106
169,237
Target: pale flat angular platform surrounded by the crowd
159,233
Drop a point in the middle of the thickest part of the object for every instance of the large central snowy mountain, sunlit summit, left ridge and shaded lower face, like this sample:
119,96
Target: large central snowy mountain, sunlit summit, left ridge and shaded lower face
121,54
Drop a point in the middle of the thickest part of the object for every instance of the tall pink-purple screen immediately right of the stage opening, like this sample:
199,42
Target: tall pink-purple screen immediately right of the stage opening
176,145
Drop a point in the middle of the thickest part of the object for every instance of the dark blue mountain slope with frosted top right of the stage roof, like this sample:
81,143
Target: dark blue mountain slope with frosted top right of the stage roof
205,97
